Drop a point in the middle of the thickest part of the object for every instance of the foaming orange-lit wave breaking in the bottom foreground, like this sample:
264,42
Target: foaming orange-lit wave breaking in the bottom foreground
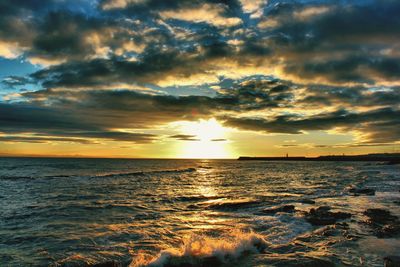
198,250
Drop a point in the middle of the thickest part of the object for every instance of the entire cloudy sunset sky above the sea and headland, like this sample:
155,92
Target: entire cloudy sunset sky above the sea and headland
199,78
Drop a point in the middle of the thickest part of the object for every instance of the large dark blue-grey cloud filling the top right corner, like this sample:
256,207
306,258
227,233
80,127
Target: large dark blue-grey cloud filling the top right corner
345,43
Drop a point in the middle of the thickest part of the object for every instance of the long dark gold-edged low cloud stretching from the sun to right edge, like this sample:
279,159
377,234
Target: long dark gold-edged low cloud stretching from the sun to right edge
380,125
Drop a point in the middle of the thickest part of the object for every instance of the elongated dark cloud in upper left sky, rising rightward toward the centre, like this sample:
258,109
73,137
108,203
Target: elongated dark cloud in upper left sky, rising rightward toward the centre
153,65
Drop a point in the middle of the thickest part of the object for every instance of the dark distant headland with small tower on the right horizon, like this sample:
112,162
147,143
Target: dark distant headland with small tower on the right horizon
391,158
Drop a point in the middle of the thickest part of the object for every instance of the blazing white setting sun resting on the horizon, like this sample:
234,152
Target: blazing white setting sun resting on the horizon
210,140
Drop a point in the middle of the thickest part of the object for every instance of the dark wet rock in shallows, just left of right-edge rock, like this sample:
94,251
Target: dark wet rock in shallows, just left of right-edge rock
323,216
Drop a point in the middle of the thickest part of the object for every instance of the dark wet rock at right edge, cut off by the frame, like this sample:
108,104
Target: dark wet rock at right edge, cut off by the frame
383,223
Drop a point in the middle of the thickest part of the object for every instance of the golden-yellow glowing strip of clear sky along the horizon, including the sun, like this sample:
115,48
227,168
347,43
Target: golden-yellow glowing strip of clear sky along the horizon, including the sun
206,139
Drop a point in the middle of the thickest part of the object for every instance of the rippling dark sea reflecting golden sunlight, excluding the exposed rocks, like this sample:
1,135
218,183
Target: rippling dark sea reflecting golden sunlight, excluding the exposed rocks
80,212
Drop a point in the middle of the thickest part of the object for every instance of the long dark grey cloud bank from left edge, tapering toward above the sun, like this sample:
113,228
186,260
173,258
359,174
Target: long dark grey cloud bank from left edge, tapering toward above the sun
100,114
